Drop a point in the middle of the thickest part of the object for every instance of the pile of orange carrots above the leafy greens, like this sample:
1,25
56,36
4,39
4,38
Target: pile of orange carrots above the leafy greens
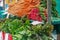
23,7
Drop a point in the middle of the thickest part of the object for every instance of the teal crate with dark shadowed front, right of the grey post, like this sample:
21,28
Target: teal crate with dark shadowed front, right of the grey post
56,23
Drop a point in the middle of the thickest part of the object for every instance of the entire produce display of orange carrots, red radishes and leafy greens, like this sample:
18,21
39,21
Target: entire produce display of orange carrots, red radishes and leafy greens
25,12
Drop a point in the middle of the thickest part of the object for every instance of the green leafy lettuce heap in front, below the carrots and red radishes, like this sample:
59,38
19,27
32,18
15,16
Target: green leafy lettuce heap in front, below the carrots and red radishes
23,30
